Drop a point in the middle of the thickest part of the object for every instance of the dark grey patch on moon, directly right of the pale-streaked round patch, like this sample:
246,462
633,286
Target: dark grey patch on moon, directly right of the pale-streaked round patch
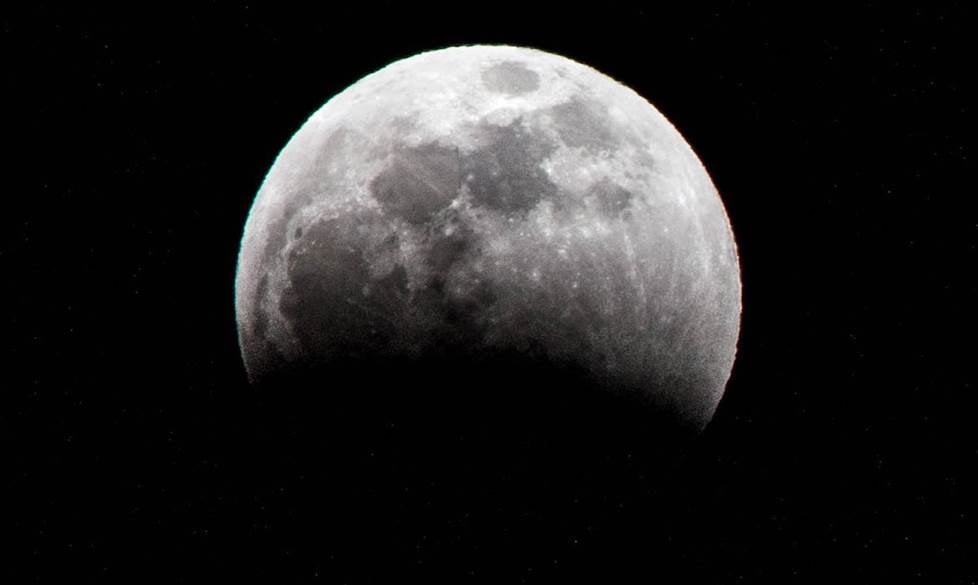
505,173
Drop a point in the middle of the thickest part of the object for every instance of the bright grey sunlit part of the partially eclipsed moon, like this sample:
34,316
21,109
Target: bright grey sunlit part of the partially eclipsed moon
485,199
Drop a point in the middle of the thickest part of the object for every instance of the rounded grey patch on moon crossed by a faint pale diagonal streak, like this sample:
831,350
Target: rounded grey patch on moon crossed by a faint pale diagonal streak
419,182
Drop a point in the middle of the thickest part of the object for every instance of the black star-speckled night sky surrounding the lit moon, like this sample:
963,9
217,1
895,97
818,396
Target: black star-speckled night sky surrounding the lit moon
844,449
